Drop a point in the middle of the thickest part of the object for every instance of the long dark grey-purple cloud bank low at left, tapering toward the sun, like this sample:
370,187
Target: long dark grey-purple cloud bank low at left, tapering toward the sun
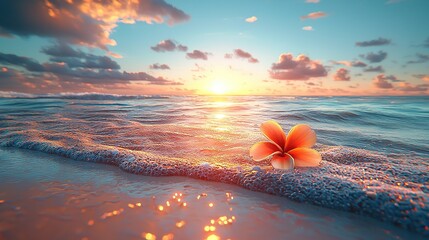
53,74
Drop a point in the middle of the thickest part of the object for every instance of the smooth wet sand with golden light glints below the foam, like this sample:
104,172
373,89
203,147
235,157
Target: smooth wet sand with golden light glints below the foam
44,196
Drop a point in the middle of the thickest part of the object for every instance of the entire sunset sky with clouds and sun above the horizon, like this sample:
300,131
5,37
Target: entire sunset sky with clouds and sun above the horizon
187,47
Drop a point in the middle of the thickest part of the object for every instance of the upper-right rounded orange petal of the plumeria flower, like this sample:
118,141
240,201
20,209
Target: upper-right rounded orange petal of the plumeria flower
300,136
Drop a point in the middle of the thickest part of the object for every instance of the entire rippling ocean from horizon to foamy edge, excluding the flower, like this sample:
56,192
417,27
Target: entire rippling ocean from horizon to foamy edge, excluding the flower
375,150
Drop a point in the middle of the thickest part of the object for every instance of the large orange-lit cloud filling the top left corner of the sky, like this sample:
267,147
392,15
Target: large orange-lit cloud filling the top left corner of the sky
83,22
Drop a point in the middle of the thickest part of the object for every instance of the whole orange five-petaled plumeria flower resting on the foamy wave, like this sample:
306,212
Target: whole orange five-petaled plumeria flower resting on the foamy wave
287,151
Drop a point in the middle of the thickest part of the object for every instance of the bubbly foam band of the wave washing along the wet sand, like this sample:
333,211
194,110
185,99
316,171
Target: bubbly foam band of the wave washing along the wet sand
351,180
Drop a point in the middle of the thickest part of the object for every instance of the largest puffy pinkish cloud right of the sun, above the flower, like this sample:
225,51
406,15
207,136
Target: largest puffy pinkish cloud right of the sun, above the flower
299,68
